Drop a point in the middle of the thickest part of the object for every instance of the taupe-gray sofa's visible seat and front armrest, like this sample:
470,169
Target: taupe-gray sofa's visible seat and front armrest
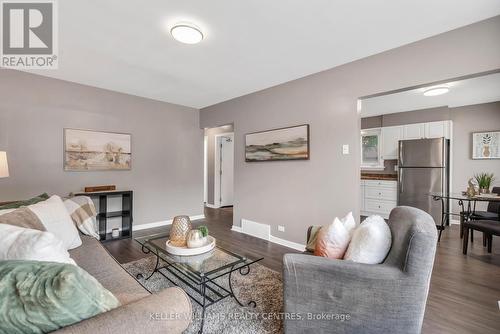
140,311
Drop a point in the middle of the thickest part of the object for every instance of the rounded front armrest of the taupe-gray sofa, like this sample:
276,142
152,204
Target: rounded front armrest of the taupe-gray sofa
166,312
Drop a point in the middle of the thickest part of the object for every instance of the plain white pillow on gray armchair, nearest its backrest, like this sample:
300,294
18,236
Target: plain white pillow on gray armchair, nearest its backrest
370,242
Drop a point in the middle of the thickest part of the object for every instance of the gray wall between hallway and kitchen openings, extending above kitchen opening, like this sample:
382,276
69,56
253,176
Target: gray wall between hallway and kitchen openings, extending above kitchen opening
300,193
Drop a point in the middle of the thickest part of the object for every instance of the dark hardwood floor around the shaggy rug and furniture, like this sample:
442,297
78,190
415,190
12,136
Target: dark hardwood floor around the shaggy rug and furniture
464,293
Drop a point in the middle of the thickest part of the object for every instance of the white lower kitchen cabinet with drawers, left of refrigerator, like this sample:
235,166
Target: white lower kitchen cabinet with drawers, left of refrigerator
379,197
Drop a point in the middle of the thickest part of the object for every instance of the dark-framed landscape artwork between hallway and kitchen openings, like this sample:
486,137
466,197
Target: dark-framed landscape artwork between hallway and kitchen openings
290,143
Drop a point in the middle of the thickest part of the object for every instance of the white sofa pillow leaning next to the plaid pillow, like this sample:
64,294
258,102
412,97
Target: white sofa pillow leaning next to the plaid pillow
54,216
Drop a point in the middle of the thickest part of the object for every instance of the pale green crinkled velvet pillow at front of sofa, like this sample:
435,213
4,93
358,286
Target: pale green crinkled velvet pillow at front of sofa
40,297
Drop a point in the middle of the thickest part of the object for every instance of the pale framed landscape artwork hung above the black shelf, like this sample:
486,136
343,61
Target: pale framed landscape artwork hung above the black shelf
86,150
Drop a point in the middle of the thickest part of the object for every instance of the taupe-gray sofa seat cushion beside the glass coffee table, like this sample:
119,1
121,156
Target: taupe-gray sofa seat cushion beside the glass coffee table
95,259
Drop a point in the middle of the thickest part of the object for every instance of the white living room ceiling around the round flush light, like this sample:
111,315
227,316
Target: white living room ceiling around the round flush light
249,45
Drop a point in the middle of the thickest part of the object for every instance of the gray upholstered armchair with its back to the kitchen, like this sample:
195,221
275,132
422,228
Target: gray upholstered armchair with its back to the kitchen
336,296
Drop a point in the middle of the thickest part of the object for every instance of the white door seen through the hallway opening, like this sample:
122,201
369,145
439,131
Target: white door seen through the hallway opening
226,171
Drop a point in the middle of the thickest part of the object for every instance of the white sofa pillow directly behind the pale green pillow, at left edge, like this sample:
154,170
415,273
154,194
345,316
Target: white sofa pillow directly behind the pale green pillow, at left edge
18,243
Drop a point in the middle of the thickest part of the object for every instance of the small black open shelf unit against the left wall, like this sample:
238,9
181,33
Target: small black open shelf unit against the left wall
104,214
